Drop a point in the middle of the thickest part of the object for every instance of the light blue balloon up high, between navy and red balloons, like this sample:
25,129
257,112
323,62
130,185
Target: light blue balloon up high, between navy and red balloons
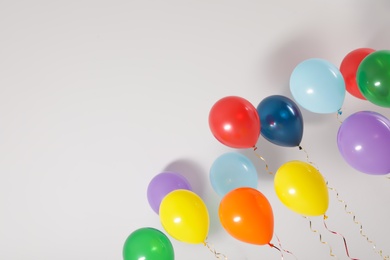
318,86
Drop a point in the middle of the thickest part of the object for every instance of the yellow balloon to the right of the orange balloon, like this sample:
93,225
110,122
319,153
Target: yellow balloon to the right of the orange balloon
302,188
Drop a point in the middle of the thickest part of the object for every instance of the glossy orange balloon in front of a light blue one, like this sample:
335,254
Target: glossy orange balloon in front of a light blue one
246,215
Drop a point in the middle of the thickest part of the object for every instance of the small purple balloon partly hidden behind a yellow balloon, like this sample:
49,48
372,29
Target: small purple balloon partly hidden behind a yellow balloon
162,184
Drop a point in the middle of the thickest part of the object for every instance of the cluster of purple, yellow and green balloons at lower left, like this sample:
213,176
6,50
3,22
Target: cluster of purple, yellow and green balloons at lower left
182,213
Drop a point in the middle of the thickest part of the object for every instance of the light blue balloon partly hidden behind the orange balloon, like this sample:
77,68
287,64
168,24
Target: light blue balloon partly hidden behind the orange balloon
230,171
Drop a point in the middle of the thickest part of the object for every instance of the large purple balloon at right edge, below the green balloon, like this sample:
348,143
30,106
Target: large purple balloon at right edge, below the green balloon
363,140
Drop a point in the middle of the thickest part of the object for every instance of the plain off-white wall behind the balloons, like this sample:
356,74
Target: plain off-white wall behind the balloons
97,97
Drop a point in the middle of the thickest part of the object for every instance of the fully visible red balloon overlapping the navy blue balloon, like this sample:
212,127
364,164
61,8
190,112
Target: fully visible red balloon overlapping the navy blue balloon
234,122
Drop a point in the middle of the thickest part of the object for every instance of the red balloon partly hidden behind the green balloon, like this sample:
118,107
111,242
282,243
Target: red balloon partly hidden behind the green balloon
348,69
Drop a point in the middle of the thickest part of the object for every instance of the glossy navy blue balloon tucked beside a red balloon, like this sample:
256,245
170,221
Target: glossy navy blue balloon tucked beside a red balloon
281,121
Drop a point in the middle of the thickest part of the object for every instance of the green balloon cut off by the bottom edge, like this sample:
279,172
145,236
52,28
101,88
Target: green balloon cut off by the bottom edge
148,244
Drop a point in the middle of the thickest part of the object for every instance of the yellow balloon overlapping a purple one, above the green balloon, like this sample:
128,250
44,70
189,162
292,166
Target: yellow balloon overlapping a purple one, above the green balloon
184,216
